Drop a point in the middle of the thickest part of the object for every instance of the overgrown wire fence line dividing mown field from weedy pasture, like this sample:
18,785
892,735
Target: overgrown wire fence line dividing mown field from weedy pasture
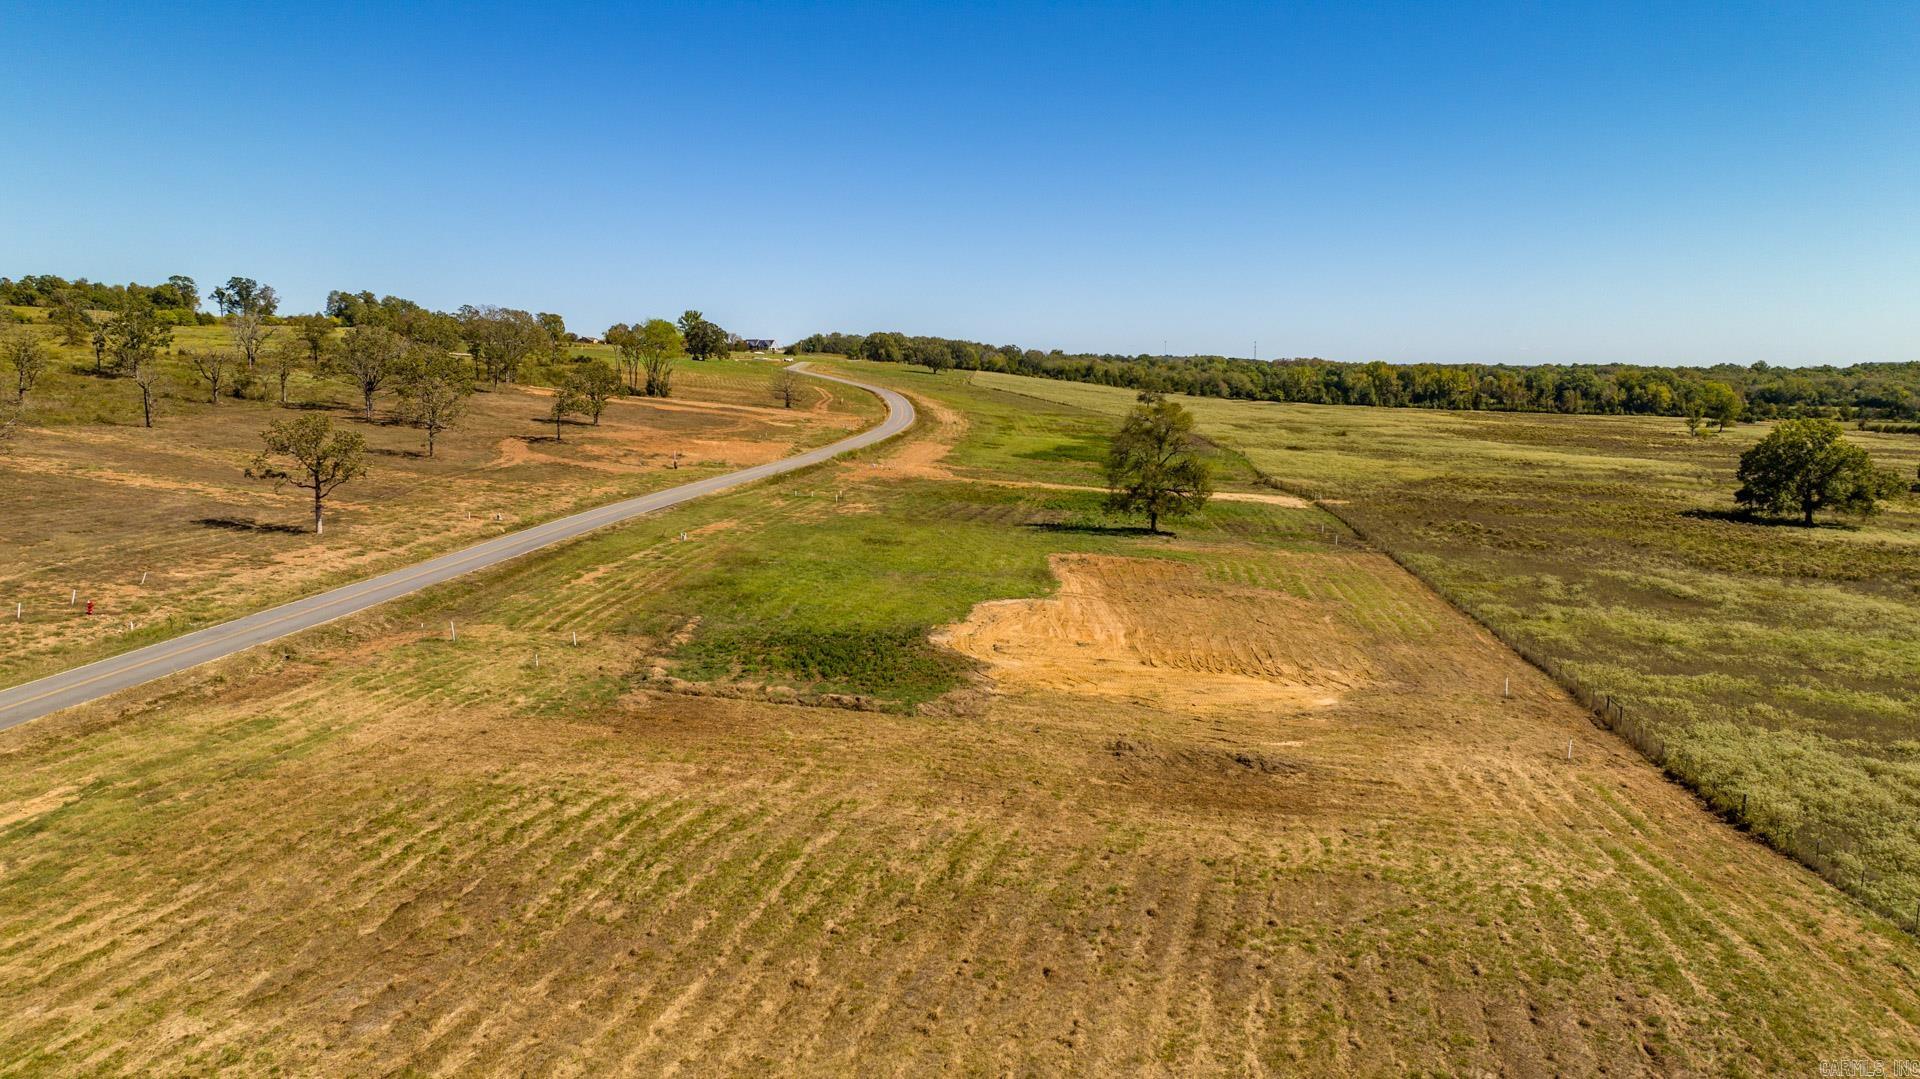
1827,850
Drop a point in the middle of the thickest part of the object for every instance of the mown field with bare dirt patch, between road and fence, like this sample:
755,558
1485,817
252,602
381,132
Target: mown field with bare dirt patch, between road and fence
1241,802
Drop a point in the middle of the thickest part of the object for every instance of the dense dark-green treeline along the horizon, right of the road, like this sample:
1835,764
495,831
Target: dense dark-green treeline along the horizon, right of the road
1731,393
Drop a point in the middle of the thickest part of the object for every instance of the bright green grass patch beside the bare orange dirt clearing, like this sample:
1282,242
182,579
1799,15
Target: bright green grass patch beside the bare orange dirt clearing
827,594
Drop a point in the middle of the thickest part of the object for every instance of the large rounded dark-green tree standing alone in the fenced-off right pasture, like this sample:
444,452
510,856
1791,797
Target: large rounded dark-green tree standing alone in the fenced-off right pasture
1808,468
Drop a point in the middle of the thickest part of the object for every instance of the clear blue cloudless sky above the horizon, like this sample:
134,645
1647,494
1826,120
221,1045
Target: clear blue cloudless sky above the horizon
1664,183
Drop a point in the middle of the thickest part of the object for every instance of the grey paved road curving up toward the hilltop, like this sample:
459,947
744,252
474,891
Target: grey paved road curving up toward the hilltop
156,661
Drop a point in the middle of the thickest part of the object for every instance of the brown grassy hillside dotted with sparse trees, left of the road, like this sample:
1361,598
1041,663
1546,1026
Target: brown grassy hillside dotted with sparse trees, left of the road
162,529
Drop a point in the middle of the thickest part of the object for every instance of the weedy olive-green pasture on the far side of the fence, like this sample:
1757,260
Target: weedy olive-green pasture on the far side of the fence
1775,667
